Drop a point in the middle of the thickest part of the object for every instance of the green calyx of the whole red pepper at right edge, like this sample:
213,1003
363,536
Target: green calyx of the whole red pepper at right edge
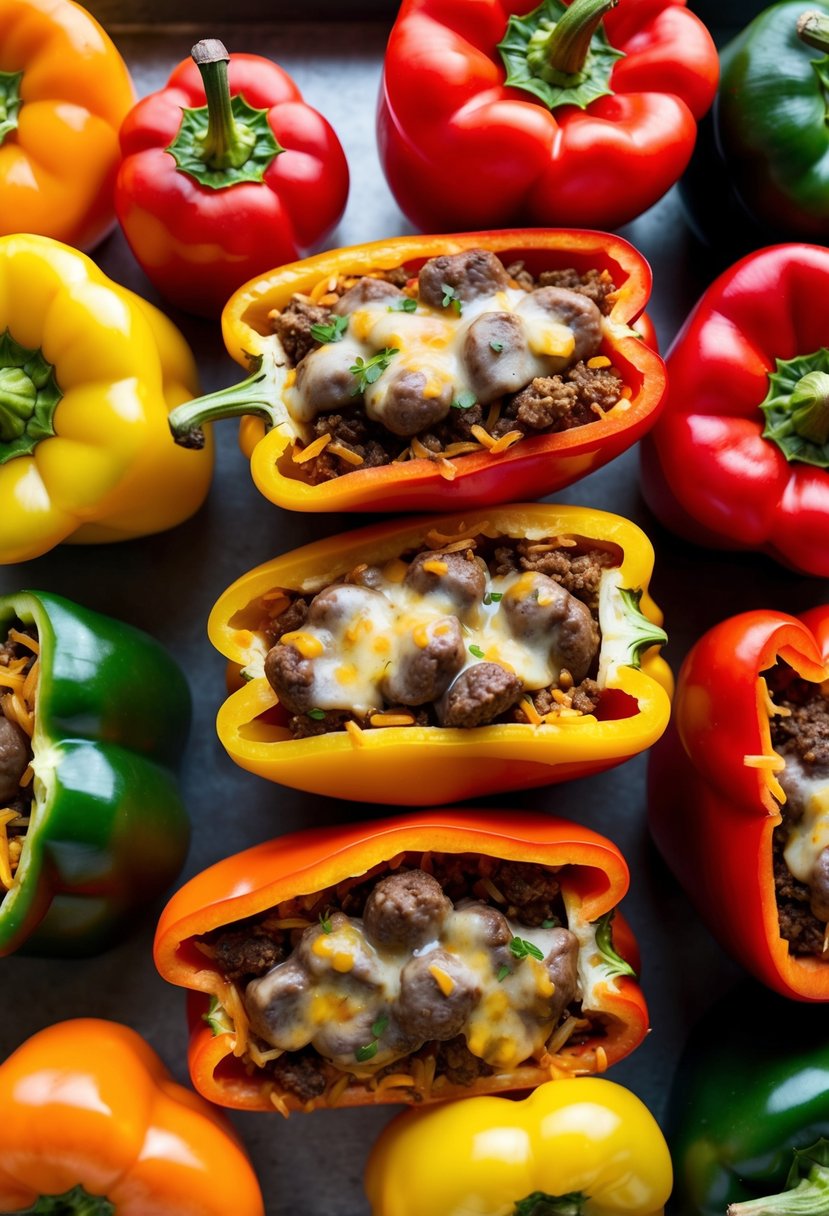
797,408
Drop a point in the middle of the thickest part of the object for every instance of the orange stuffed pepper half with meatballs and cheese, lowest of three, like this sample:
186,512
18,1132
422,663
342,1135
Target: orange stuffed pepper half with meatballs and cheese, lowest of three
436,955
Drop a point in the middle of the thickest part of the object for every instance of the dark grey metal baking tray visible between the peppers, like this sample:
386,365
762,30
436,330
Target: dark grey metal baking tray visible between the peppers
167,584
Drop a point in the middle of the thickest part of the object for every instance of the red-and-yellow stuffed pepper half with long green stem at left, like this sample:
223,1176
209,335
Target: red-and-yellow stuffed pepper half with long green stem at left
427,373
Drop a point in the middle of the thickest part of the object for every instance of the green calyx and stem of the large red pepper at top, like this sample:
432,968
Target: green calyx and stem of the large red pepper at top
561,55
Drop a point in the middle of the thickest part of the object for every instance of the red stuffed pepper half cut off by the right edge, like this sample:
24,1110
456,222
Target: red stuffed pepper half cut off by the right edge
740,793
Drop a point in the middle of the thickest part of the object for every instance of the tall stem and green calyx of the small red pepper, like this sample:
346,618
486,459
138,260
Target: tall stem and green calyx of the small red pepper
228,142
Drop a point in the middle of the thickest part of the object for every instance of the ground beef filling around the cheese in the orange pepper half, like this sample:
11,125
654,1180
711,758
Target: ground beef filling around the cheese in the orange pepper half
401,904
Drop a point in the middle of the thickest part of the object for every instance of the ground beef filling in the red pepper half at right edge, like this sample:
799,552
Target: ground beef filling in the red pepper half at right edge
802,736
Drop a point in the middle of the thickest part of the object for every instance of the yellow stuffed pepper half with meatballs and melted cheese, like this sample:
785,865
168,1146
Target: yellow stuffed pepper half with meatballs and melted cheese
516,648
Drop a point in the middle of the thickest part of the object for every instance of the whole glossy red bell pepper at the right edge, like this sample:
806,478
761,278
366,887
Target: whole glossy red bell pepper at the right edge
741,455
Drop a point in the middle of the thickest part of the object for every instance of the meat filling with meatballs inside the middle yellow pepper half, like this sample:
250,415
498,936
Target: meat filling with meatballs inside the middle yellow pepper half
437,683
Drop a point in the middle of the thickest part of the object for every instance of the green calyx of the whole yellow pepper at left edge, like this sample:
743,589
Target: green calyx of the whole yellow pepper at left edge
30,396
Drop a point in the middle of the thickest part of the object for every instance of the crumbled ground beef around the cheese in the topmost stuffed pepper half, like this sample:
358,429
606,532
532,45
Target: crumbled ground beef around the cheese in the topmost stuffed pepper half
573,397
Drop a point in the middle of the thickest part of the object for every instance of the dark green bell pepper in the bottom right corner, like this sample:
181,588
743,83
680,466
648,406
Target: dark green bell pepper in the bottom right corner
749,1112
